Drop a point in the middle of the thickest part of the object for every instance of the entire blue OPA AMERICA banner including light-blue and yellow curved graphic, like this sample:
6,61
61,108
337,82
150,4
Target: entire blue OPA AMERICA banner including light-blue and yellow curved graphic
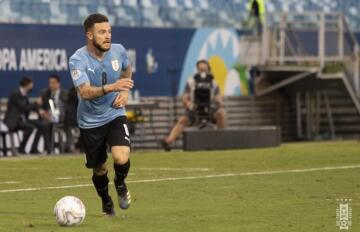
163,59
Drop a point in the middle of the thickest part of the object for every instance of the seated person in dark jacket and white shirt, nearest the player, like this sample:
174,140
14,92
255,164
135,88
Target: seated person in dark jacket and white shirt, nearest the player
58,97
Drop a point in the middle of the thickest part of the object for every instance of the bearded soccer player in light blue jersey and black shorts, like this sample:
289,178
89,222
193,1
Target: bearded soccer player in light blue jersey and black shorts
102,73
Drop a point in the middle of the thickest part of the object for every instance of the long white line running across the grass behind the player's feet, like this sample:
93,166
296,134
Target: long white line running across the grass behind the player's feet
194,177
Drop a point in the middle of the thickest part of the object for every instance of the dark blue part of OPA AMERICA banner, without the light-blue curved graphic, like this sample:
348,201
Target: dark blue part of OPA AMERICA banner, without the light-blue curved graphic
40,50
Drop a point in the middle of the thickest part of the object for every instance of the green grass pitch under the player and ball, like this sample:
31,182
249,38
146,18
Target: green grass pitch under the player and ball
294,187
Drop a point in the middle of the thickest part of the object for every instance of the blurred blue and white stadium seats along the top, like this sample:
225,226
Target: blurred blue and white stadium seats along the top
164,13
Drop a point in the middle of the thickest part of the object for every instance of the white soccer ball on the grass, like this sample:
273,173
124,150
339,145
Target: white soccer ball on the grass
69,211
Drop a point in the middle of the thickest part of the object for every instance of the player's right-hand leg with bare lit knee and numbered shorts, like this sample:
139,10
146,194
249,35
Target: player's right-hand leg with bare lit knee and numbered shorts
119,141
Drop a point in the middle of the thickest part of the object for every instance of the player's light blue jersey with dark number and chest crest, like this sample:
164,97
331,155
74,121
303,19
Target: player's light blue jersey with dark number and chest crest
86,68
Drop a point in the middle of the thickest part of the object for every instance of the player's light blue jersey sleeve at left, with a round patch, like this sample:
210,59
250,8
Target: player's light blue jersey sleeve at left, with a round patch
78,71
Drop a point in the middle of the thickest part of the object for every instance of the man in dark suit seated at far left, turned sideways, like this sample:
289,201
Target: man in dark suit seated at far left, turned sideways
17,115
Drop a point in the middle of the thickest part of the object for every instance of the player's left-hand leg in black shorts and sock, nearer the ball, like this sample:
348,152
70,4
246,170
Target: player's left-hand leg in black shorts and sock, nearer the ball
94,144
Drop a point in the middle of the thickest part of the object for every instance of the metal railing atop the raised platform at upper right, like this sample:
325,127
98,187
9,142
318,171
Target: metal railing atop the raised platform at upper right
312,39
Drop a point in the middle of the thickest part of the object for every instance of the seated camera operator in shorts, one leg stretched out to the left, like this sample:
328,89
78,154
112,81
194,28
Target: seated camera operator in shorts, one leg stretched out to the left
195,90
